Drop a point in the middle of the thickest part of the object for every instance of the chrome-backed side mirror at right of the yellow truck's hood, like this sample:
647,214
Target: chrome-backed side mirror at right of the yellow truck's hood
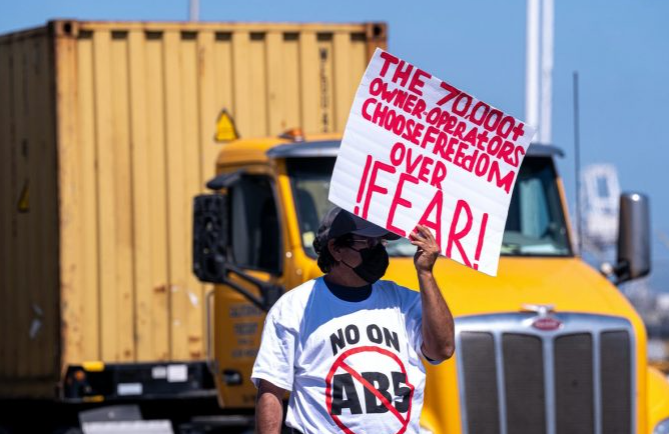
633,237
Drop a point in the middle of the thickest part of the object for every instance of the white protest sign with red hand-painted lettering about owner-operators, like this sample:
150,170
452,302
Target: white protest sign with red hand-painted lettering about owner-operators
417,150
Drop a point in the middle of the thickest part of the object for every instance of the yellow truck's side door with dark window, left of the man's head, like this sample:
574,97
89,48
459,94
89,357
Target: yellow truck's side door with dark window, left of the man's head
249,280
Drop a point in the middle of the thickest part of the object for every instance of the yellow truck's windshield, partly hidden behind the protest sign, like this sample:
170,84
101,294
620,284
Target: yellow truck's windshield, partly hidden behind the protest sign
535,225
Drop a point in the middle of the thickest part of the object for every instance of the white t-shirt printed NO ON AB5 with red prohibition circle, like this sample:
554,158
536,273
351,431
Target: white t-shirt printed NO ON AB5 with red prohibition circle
351,367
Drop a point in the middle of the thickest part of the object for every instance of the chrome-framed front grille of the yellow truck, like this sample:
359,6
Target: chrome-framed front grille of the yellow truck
515,379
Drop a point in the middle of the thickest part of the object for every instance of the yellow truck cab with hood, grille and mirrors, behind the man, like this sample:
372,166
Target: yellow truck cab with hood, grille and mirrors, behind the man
548,346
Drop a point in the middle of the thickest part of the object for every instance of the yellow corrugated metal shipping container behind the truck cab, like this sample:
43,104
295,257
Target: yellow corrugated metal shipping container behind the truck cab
106,134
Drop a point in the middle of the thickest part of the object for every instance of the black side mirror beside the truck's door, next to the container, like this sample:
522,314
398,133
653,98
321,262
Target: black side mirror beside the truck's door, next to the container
210,237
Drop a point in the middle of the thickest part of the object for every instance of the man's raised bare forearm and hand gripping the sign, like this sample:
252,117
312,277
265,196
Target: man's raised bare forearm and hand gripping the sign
438,327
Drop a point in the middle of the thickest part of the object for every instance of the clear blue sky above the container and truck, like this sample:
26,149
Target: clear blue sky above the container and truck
620,49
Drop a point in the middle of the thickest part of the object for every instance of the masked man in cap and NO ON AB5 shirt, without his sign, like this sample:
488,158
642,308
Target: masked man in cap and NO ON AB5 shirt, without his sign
349,346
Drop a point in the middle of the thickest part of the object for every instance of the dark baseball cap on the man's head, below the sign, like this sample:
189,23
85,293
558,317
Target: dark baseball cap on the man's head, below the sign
338,222
